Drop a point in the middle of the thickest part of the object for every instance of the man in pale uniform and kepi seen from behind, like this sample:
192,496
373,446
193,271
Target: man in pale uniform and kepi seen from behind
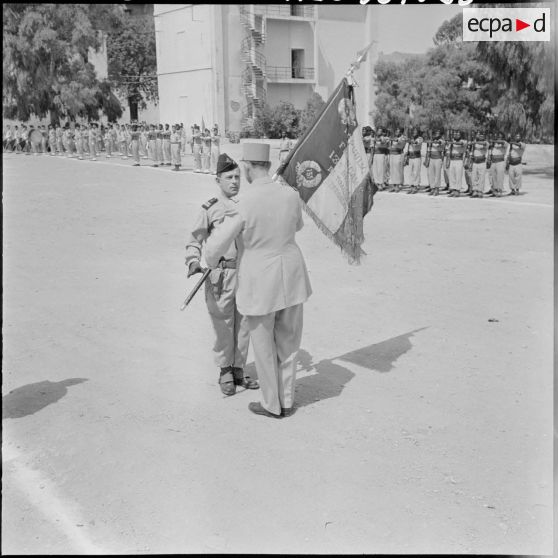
273,282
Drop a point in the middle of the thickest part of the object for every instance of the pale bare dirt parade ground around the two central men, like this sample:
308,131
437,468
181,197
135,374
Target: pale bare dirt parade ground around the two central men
424,400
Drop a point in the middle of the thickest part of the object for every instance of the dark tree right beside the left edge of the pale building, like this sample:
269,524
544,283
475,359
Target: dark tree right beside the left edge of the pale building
132,61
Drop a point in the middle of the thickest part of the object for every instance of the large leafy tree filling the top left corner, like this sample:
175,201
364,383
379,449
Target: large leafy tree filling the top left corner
46,67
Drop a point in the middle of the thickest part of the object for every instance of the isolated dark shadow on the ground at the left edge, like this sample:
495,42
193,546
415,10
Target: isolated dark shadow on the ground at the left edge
31,398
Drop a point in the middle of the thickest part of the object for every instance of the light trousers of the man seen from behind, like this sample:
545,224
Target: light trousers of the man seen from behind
275,341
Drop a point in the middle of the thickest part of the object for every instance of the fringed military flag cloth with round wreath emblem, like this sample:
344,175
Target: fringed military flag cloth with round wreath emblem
329,169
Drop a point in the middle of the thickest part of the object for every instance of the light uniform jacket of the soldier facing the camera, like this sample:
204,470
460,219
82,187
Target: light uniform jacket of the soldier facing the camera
213,212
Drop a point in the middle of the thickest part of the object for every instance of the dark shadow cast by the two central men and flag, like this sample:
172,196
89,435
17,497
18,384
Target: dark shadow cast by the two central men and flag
331,378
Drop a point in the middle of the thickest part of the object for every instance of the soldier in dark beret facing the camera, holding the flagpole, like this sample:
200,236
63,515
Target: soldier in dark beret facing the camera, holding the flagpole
231,332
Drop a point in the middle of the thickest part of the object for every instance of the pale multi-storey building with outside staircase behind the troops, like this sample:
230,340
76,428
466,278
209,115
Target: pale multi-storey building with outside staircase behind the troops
219,64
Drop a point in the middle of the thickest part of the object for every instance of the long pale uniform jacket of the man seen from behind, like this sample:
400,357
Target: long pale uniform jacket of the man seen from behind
272,273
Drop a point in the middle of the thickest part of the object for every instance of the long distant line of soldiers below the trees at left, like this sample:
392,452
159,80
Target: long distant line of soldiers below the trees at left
162,144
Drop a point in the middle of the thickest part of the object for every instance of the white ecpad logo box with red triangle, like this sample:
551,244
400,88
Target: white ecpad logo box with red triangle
506,24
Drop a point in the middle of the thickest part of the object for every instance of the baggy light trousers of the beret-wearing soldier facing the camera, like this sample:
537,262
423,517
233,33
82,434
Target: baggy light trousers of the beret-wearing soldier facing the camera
230,327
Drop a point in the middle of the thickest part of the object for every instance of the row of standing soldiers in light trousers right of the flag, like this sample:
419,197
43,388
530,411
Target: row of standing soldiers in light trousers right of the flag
454,157
